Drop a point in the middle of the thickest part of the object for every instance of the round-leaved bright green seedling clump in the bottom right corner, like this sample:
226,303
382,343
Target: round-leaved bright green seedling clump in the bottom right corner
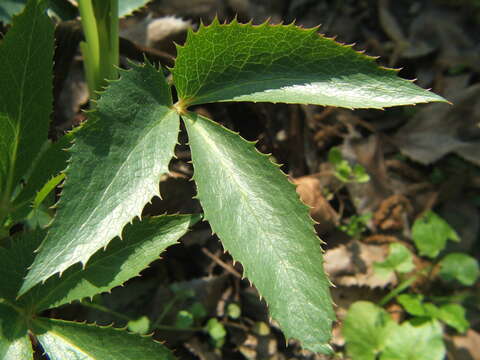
370,332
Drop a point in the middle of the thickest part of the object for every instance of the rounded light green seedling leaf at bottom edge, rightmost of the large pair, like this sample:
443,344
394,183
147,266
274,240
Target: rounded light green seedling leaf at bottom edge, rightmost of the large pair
410,342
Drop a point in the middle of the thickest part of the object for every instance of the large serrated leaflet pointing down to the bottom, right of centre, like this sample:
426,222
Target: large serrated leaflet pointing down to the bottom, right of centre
260,220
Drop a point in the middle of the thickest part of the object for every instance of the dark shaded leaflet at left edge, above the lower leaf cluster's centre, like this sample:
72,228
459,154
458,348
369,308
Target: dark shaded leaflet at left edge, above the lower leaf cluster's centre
15,260
